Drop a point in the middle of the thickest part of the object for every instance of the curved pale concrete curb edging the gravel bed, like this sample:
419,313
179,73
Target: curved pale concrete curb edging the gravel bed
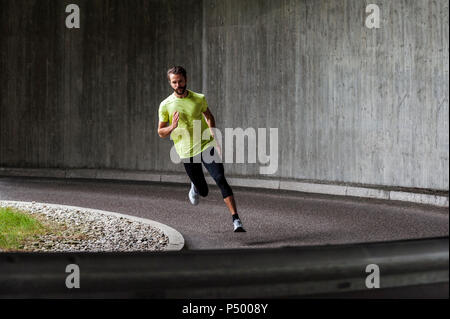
176,240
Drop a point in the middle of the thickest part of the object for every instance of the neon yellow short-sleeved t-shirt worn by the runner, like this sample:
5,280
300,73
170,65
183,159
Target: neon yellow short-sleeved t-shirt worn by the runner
187,137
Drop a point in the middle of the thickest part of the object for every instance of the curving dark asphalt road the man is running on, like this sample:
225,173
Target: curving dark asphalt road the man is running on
272,218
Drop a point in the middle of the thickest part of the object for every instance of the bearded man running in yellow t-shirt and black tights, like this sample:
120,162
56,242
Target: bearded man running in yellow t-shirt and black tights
179,111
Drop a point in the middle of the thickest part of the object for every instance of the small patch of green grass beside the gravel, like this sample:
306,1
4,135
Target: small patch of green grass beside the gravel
17,227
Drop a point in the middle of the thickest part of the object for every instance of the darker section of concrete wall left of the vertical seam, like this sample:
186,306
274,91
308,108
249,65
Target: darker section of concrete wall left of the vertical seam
88,97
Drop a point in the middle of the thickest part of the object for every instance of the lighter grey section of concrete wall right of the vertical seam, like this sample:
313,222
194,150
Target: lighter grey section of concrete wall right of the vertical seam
352,104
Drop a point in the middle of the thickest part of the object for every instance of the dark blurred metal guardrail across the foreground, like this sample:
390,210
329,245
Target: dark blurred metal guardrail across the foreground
245,273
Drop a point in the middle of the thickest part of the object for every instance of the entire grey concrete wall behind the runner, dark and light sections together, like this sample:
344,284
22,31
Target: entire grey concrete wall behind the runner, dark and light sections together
352,104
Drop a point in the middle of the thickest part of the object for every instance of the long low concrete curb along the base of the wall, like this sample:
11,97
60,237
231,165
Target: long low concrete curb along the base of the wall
328,189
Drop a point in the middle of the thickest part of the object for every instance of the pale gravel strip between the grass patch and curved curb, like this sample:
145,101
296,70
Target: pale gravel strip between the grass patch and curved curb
88,231
